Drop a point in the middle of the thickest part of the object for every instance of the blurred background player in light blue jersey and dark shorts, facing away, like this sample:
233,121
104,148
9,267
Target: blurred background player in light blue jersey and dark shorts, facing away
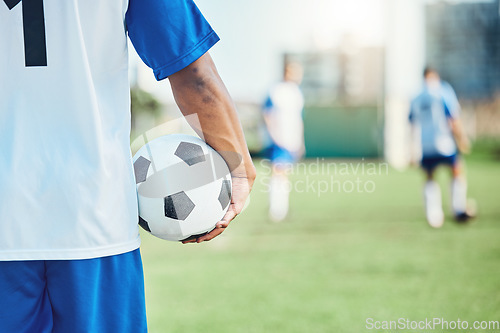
434,115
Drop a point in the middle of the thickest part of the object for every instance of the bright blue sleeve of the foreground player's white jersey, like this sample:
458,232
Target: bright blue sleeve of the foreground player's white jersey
168,35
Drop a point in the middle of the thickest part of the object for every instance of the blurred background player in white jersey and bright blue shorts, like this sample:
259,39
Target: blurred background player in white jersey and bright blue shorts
283,117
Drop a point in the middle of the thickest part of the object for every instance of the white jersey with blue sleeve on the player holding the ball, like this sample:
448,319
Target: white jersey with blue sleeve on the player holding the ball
67,188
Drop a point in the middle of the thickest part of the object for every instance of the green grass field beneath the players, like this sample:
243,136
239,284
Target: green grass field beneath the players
339,259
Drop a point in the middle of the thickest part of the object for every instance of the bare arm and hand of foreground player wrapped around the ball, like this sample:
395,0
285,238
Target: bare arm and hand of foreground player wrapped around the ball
199,90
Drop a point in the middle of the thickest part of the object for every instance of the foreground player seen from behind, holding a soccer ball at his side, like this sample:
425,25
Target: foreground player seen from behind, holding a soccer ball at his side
69,236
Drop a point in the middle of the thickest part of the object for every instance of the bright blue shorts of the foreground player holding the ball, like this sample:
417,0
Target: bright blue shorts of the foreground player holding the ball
93,295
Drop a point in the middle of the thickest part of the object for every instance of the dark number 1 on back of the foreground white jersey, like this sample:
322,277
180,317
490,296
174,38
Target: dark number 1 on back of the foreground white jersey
35,46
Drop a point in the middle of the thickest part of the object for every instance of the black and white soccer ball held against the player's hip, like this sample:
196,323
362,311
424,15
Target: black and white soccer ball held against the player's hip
183,187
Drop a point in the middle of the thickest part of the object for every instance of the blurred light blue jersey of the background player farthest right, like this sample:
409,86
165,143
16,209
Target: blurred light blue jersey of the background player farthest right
430,112
